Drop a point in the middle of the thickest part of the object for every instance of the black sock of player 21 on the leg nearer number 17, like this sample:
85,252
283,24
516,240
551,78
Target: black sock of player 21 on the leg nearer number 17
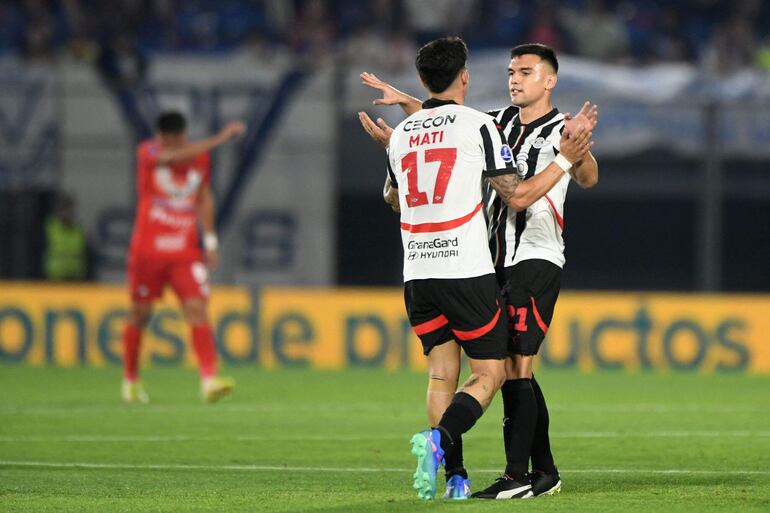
522,431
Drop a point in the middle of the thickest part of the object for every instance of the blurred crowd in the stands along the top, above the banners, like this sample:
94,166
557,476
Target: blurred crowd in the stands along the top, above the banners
719,36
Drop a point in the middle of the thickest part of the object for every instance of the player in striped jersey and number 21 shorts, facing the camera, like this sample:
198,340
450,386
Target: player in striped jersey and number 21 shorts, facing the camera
527,248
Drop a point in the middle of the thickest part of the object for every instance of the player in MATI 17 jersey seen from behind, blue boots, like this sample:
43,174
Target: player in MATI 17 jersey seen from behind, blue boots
437,158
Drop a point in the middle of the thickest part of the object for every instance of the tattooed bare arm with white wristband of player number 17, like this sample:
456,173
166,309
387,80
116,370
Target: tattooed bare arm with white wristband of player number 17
519,196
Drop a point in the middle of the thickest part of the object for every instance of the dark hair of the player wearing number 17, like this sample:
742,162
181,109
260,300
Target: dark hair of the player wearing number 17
440,61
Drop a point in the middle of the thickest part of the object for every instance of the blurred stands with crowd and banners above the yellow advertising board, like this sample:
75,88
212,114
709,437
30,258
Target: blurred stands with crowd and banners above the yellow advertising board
682,87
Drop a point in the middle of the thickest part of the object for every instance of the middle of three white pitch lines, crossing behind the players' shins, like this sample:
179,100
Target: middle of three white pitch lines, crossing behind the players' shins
372,437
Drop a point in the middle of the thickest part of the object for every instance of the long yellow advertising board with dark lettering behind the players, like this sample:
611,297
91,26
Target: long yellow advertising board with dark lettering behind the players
65,325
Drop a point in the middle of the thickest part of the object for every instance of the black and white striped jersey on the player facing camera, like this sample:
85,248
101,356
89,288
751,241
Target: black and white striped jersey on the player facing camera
535,233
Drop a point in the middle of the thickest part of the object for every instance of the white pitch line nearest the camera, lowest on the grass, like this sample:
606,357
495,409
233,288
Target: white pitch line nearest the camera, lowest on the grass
287,468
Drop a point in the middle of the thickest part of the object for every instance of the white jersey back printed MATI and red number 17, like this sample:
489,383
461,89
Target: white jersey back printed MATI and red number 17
437,160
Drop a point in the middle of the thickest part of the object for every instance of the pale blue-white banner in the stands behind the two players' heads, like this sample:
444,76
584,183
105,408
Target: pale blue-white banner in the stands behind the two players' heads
641,108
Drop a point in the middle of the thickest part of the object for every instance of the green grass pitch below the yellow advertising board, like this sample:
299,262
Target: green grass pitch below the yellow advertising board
294,440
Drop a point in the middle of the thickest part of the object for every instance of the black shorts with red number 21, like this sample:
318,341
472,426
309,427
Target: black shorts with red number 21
530,291
